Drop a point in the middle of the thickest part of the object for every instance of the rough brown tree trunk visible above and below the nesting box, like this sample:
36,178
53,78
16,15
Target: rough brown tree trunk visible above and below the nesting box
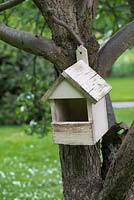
80,164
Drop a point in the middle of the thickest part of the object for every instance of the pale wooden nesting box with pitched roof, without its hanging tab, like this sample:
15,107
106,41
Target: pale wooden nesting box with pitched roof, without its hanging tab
78,106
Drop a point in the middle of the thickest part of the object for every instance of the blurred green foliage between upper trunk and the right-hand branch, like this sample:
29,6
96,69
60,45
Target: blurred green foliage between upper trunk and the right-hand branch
110,17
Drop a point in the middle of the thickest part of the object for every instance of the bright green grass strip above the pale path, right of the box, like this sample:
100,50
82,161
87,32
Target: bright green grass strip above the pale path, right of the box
122,89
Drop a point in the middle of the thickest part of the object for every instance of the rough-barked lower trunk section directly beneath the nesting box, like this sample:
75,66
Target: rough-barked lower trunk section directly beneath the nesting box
80,172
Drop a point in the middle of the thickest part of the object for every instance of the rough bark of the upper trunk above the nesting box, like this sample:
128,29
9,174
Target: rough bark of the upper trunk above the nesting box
79,20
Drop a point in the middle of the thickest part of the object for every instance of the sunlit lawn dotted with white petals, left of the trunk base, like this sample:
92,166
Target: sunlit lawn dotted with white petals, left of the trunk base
29,166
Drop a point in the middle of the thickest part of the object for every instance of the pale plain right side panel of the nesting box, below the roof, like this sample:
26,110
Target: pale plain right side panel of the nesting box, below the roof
100,121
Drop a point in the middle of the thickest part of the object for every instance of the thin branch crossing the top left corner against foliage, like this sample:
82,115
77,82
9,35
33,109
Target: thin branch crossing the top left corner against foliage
9,4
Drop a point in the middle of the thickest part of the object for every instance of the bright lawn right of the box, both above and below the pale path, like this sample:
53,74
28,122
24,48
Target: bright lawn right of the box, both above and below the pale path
122,90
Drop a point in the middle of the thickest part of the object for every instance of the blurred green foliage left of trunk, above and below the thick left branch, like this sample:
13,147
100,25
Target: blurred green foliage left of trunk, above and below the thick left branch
24,78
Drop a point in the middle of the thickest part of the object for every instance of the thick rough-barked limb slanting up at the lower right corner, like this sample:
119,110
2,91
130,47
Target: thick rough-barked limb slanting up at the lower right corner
121,172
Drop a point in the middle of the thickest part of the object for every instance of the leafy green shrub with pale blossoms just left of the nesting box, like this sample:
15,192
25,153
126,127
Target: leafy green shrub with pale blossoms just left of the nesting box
29,107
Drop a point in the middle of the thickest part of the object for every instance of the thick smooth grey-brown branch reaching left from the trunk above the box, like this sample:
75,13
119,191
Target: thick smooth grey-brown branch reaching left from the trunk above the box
35,44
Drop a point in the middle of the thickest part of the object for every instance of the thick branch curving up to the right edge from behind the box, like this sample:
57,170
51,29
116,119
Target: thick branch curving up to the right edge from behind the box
120,42
